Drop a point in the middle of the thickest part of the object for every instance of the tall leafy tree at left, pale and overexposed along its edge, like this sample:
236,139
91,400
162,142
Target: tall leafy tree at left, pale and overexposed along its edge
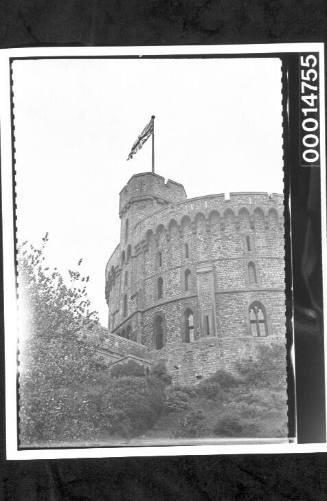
57,358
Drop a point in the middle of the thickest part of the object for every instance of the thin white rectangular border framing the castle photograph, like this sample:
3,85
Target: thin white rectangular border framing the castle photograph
10,319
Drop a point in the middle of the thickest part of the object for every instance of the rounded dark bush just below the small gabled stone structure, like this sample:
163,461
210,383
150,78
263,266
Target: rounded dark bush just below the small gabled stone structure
131,405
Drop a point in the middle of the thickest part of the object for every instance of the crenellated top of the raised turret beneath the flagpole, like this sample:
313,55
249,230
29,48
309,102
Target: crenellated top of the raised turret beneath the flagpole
149,186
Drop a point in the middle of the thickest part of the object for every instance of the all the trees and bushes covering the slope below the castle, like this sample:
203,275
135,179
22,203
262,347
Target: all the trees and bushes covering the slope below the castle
67,396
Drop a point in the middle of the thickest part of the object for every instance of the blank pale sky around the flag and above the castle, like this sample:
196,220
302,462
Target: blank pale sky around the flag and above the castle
218,129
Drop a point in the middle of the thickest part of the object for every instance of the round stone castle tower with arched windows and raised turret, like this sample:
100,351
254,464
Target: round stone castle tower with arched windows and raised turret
196,283
